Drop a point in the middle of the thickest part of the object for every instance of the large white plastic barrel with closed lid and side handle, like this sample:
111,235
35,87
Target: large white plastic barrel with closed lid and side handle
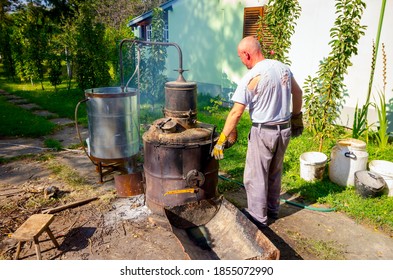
347,157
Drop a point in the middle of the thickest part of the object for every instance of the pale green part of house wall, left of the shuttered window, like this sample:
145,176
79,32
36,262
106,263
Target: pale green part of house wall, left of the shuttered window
208,32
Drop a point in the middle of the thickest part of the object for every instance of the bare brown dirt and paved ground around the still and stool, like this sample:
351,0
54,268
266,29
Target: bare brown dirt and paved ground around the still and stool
114,228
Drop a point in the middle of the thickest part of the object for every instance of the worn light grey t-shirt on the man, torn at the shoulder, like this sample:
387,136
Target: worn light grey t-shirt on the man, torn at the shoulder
270,101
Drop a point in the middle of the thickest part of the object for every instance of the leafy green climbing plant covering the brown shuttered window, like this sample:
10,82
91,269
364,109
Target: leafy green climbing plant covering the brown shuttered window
279,21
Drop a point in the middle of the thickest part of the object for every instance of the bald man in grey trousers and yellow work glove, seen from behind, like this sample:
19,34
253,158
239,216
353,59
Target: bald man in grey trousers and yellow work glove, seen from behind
266,89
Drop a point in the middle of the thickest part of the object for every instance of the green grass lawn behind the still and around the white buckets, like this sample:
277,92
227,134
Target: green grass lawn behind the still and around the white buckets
377,212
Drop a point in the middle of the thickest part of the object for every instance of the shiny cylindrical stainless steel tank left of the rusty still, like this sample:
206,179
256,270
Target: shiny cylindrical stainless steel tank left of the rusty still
113,122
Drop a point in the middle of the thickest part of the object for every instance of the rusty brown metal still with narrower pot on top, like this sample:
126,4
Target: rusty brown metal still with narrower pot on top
178,165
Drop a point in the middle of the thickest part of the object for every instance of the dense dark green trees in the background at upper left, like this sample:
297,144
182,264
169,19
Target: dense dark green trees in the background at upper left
37,35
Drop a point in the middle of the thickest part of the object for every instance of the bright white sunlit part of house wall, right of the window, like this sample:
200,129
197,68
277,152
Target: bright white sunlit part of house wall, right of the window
310,45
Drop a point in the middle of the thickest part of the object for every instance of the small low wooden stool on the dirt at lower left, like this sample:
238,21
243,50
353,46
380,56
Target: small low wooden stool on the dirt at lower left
31,230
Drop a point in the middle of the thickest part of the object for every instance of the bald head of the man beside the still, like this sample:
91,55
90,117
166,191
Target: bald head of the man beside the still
249,51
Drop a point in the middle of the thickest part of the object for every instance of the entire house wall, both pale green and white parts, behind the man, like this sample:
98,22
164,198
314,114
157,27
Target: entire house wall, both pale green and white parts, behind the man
208,32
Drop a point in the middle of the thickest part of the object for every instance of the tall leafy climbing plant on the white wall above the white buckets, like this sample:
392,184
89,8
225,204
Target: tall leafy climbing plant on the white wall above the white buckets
324,93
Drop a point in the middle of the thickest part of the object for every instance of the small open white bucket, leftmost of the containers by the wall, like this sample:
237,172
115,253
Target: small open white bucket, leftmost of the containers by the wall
312,165
